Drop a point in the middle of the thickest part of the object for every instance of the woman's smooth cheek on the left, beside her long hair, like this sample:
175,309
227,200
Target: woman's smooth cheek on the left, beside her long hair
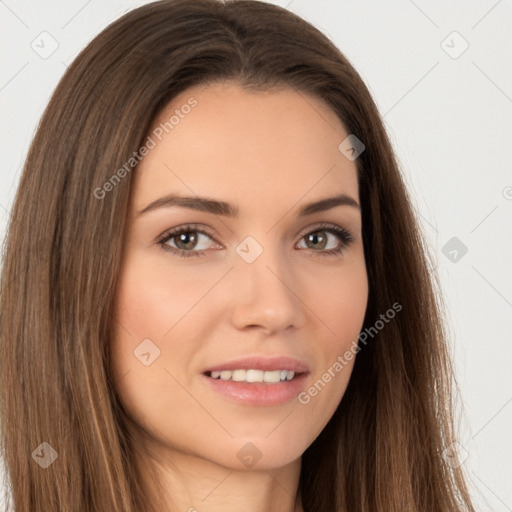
159,311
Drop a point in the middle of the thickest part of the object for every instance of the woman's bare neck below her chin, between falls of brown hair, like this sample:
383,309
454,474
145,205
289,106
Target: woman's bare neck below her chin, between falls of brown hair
177,481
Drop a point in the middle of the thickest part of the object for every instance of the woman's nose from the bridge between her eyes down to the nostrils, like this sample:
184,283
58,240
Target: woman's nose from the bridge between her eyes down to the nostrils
265,285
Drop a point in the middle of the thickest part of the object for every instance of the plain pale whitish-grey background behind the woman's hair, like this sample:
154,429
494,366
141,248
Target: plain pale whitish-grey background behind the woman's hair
441,74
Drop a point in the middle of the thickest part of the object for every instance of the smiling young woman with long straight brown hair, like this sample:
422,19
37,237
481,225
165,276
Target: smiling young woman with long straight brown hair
215,293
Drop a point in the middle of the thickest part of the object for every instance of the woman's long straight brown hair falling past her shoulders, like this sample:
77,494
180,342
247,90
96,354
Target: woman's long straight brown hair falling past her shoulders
383,447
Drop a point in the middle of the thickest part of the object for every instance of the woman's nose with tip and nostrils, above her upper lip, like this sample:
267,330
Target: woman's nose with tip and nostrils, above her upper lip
266,295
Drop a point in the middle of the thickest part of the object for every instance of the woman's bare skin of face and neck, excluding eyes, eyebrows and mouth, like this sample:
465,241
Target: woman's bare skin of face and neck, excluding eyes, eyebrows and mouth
269,154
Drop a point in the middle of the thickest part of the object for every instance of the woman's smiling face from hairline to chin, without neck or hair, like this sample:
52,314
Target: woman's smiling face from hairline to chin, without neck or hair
272,281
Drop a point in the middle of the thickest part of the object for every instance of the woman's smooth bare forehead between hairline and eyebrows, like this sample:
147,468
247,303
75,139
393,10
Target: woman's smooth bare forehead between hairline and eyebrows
243,146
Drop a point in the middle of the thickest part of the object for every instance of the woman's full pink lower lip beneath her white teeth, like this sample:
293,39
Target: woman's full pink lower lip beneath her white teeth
259,393
